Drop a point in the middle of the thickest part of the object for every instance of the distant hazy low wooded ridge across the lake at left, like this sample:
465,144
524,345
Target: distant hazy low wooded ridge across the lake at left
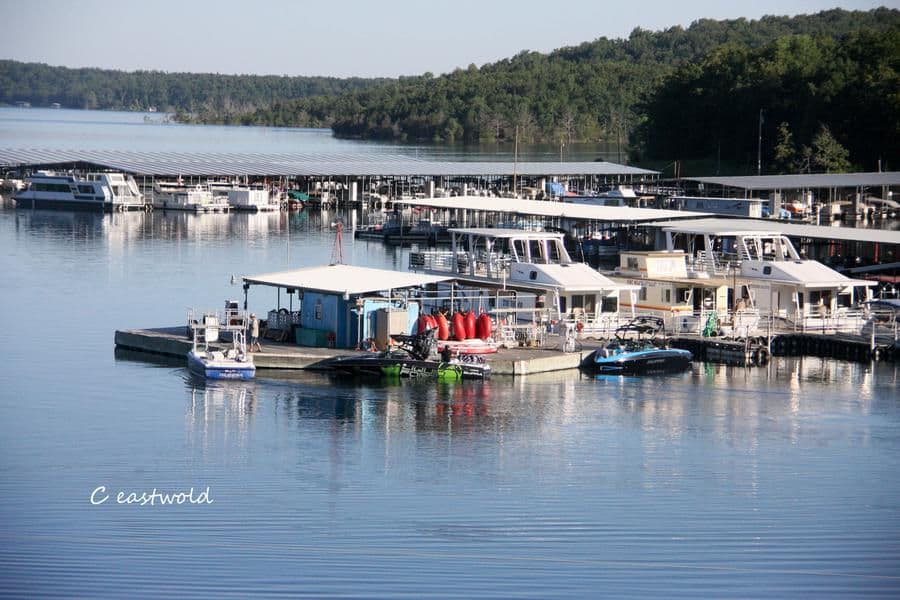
41,85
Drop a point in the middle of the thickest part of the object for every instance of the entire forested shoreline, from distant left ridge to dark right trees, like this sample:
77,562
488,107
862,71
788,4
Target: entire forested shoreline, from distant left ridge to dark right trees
810,93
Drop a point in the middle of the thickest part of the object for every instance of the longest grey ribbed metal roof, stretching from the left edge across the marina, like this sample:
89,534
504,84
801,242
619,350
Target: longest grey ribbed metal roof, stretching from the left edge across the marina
300,164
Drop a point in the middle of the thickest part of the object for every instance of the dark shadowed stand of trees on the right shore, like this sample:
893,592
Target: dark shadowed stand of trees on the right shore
806,97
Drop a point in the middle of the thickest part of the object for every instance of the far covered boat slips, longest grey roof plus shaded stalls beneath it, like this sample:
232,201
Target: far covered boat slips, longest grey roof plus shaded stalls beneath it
338,176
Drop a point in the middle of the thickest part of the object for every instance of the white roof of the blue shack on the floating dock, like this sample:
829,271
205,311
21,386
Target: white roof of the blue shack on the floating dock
343,279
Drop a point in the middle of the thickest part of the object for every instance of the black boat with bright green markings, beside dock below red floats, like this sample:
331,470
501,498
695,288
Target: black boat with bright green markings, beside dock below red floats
412,359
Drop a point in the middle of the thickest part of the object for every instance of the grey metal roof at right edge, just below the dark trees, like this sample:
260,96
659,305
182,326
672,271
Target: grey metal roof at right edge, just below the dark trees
804,182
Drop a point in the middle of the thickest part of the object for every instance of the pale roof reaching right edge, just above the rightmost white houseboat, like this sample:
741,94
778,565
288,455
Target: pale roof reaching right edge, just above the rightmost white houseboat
730,226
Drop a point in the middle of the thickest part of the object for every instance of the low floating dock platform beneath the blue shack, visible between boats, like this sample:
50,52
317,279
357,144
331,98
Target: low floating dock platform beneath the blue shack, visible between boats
174,342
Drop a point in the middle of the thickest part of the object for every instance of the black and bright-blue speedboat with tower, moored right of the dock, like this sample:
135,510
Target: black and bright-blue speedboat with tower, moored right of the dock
623,356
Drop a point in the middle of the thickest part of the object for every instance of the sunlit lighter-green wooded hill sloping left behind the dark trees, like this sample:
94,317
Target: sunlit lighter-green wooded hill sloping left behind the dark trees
594,91
